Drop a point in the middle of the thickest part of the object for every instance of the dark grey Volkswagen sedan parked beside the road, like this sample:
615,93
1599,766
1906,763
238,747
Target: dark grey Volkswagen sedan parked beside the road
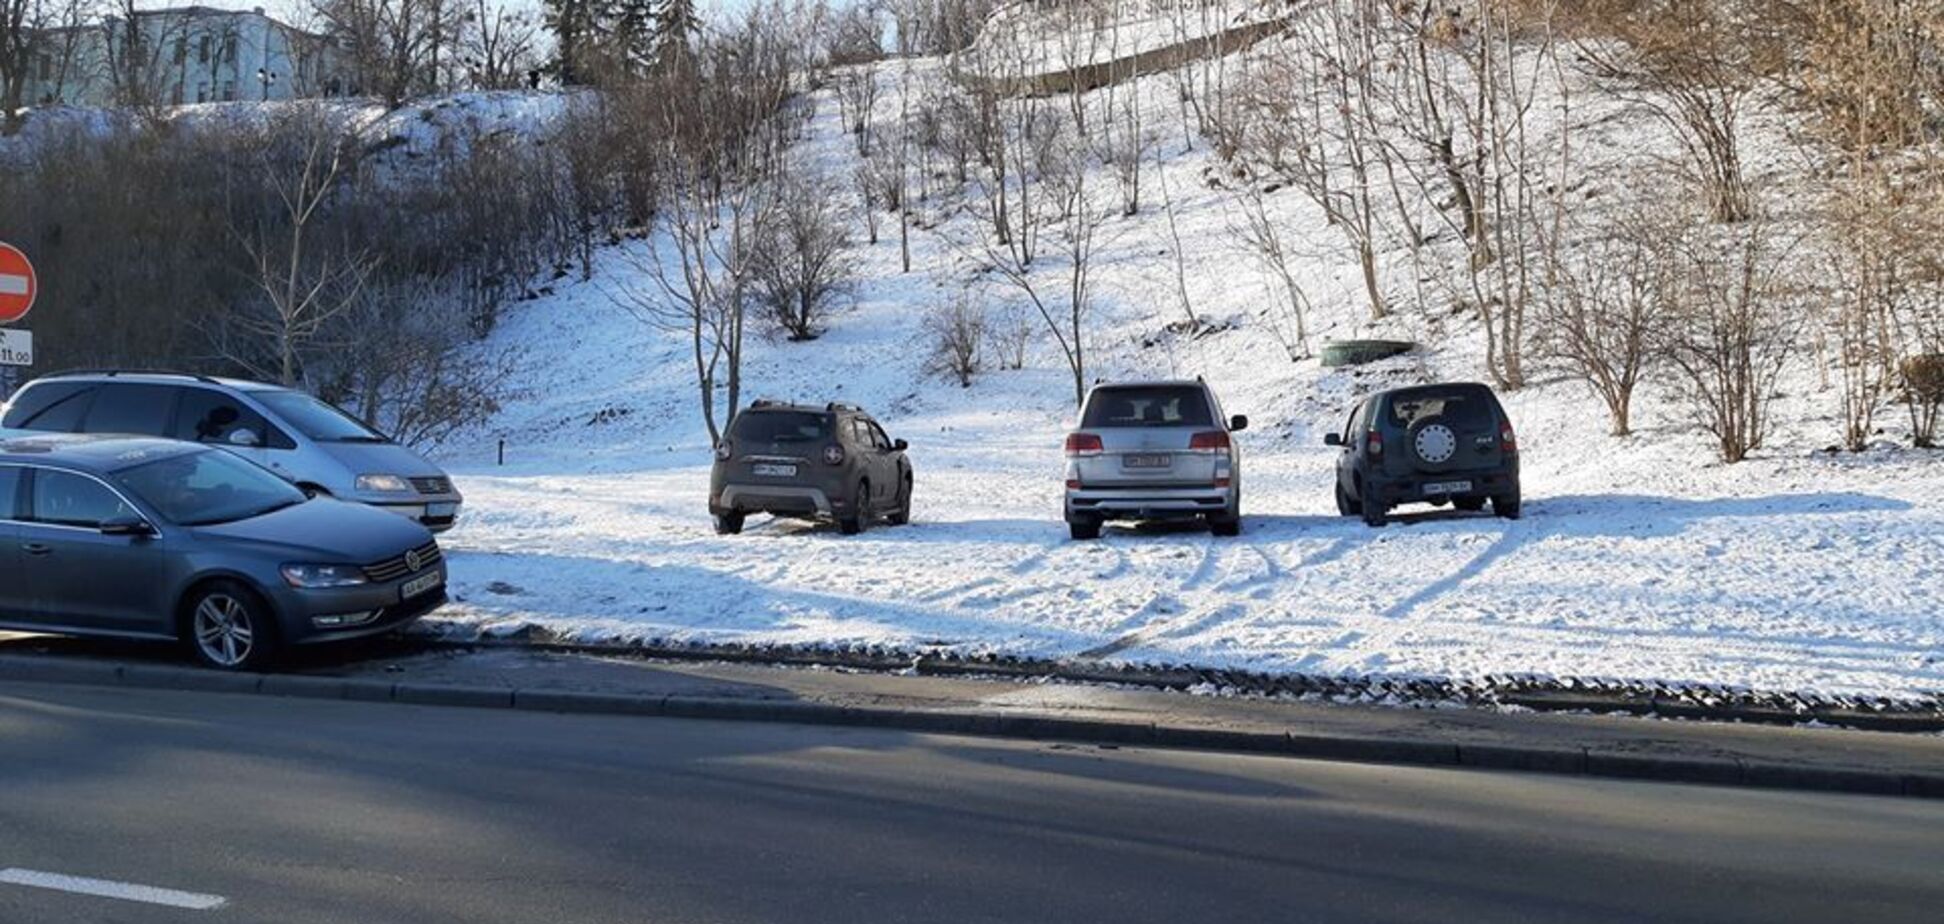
145,538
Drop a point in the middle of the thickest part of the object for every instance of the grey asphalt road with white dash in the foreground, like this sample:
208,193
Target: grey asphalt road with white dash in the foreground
341,812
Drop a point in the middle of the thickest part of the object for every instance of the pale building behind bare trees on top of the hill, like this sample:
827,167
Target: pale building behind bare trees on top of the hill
186,55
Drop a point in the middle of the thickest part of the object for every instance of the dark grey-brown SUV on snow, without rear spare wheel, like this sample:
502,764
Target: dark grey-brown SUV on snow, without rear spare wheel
810,462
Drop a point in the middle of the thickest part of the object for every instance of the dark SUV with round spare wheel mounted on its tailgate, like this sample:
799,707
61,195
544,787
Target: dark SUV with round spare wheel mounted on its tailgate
1428,444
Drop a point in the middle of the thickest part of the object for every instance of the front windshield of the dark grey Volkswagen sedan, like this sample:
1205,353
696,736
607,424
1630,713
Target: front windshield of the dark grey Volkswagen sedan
209,487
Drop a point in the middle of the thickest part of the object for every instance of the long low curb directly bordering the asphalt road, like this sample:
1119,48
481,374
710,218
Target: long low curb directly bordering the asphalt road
1002,725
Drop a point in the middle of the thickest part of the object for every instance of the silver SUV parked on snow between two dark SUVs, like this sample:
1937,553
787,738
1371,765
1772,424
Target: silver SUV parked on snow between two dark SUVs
1154,450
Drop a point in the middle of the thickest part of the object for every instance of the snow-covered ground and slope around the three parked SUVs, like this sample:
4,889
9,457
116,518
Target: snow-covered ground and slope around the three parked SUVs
1638,559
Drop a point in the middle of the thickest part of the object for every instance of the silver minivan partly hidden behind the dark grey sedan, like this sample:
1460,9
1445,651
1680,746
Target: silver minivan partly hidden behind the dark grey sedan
306,441
